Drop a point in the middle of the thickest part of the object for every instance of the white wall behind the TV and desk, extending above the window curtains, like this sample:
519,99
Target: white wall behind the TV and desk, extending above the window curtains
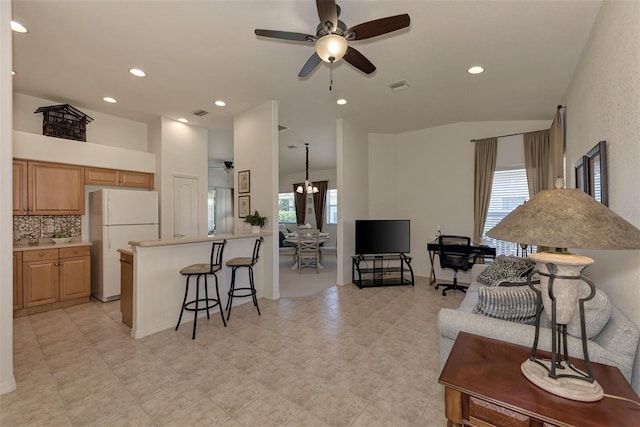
427,176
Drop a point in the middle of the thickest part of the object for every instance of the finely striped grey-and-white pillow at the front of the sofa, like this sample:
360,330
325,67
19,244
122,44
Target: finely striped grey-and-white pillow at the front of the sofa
515,304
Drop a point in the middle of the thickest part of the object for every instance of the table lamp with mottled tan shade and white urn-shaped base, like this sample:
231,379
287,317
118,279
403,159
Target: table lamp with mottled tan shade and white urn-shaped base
560,219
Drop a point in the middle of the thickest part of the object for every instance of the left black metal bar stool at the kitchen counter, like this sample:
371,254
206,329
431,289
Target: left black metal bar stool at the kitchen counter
200,270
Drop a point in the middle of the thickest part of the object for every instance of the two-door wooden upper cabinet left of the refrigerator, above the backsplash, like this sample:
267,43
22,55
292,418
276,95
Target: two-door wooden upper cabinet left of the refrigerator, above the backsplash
48,189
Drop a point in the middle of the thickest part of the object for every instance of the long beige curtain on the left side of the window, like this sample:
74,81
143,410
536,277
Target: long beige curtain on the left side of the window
484,167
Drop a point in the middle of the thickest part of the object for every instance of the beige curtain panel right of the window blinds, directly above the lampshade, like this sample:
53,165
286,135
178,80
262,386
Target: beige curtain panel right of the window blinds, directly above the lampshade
537,161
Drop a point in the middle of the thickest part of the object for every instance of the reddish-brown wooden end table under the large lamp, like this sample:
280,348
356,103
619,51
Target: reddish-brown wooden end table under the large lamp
484,387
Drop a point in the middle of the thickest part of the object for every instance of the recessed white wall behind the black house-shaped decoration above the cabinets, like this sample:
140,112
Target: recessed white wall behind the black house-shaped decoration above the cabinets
104,129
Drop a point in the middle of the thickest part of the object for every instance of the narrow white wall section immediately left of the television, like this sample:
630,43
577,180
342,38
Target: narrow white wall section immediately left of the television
353,197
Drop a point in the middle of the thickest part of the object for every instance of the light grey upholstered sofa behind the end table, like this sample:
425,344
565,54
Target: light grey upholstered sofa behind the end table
616,344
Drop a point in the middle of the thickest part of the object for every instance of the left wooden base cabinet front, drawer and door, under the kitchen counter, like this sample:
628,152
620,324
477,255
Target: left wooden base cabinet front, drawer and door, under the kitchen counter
40,277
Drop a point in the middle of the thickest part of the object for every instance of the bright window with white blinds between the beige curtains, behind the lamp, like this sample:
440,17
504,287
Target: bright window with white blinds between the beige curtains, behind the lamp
509,191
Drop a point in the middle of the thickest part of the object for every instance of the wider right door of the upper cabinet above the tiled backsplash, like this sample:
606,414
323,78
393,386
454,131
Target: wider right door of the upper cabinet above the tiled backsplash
56,189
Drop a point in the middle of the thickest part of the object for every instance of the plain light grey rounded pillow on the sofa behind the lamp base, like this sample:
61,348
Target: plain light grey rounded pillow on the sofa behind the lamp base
597,312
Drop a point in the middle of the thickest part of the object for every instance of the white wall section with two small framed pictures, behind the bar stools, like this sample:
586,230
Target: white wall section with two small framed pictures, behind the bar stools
255,148
